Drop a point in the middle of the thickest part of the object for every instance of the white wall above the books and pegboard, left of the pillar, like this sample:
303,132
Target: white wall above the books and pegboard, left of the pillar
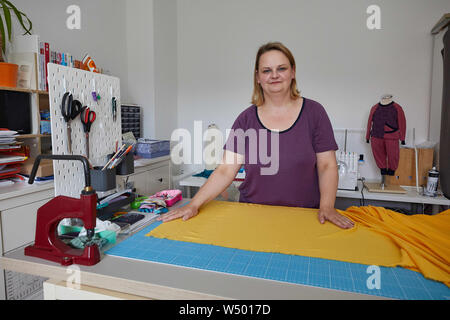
102,32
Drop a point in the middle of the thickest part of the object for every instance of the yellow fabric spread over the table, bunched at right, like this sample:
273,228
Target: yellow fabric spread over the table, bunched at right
380,236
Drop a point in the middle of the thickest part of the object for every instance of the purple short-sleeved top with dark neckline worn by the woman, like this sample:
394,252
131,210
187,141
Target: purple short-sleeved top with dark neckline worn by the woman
289,177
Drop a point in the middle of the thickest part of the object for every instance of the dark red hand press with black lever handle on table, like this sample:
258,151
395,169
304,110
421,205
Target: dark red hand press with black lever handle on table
47,245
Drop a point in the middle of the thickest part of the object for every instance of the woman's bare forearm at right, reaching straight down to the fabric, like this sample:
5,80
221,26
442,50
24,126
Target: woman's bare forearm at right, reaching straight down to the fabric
328,184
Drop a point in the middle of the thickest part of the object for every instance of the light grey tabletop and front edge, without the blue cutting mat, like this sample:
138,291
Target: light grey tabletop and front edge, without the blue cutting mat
167,281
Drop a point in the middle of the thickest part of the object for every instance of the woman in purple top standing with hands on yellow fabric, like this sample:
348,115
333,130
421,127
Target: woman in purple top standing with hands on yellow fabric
306,172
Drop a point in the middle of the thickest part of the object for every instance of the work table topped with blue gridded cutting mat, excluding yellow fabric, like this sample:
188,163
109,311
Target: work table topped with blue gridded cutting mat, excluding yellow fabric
128,269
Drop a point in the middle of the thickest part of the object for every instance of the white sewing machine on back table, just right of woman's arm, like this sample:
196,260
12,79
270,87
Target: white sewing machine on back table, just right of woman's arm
348,170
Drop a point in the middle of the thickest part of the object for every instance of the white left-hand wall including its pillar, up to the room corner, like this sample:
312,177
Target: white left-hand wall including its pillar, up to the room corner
135,40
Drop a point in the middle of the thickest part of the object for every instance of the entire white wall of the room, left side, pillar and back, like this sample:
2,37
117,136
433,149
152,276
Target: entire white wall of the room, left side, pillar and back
187,60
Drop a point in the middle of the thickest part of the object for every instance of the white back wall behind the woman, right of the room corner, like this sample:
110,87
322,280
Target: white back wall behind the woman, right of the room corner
340,63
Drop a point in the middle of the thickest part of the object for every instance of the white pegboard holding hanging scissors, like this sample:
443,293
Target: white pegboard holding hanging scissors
69,175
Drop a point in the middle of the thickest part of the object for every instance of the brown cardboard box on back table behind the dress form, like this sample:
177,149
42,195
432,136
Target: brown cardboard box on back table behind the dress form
405,175
